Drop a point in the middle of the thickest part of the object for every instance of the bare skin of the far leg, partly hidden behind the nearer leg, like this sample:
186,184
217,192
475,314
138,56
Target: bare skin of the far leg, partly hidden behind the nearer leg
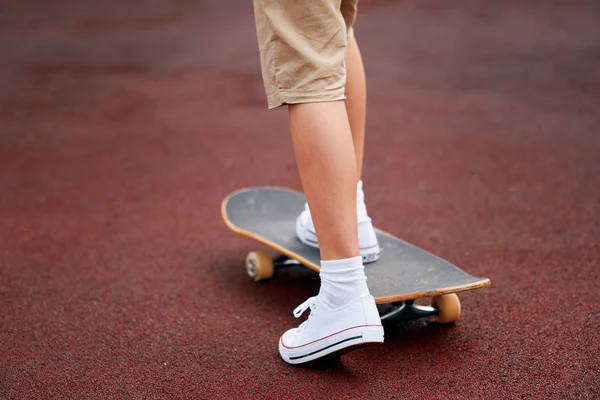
356,100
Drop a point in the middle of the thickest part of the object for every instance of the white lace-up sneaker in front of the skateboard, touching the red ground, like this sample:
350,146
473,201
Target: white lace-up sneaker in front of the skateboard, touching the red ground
325,332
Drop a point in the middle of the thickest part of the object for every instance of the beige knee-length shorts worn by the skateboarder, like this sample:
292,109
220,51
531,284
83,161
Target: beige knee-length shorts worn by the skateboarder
302,47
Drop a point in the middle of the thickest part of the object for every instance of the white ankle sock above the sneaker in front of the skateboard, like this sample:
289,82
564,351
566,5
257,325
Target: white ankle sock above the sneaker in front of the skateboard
342,281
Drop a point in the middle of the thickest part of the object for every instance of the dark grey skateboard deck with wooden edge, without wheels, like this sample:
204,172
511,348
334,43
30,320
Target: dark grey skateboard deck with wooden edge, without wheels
403,271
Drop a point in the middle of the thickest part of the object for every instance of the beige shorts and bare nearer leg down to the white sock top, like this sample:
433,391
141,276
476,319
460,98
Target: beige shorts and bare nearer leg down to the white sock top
303,47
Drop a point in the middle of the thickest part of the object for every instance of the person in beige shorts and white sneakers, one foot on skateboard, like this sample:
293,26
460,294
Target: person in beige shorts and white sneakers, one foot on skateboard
311,62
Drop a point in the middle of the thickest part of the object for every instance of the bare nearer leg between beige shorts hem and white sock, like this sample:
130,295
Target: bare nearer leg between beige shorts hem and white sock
327,163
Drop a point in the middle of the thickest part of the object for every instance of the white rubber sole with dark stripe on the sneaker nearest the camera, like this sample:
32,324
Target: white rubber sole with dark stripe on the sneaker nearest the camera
338,344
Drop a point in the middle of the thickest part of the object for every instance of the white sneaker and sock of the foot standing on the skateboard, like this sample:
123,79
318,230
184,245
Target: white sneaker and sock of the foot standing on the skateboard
367,239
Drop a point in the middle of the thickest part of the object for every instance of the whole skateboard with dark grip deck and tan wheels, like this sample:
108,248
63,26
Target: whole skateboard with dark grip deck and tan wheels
403,273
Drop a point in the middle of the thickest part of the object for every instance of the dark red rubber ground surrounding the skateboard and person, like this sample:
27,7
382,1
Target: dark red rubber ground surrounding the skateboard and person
124,124
